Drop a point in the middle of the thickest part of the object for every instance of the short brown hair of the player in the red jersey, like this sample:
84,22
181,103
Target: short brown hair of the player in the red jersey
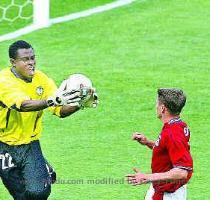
173,99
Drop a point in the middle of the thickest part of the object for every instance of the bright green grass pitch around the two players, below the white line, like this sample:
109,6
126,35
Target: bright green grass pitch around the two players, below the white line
128,53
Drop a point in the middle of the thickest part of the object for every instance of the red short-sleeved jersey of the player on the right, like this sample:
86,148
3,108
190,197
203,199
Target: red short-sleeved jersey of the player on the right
171,150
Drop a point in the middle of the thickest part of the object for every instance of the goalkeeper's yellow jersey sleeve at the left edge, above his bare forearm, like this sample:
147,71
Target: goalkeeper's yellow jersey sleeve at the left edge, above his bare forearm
10,95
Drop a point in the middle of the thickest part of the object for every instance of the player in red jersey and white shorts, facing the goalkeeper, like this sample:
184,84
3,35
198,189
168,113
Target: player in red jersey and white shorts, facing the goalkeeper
172,163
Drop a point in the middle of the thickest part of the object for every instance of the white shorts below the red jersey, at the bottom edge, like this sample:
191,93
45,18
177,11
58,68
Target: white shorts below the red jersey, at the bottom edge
180,194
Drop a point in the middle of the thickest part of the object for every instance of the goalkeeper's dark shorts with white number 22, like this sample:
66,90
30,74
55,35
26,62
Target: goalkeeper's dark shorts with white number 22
24,172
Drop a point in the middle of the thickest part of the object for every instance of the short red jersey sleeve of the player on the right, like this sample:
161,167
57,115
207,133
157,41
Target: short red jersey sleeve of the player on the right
177,145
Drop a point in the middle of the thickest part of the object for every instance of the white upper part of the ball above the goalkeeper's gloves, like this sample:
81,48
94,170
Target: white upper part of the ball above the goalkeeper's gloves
78,81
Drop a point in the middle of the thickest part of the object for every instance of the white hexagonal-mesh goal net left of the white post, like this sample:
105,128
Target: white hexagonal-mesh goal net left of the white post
11,10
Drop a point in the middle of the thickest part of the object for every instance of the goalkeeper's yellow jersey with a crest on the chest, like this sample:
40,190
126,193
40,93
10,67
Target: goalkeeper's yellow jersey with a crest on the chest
17,127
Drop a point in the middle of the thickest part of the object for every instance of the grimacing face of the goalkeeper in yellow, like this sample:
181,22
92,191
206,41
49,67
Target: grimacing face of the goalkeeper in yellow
25,63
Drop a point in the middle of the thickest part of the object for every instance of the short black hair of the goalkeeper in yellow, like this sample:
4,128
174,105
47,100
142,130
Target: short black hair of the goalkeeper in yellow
20,44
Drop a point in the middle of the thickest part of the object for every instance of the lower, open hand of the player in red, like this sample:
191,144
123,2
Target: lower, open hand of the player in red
138,178
